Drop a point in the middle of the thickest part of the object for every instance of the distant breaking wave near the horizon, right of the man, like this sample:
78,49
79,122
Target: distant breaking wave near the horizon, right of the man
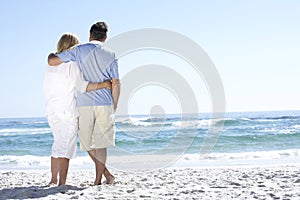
242,125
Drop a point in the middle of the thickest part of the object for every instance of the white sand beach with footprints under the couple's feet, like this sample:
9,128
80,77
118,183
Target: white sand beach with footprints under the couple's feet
280,182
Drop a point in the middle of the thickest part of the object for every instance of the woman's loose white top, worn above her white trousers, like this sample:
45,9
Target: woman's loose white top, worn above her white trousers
60,85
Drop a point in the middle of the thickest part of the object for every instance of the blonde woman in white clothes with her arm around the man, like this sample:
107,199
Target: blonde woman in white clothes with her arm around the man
60,85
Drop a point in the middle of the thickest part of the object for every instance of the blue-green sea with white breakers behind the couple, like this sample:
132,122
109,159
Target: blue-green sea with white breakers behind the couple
244,138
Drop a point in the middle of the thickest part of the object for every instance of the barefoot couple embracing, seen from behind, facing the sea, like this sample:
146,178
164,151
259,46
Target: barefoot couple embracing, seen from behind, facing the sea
92,70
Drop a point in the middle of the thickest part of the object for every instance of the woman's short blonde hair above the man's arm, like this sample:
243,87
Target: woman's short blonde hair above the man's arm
67,41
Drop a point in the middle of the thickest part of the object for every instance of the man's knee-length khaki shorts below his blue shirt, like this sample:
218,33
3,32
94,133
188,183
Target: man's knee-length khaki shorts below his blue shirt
96,127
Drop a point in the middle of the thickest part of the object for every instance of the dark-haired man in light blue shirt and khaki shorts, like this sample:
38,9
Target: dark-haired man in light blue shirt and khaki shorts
96,109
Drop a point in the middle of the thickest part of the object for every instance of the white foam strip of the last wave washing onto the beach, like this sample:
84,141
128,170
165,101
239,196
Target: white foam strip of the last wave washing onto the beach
135,160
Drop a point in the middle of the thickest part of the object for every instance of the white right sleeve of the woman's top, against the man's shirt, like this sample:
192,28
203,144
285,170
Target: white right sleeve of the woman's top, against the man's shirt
77,77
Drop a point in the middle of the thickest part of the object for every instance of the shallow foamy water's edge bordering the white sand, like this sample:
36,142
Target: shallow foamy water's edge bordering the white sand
153,162
